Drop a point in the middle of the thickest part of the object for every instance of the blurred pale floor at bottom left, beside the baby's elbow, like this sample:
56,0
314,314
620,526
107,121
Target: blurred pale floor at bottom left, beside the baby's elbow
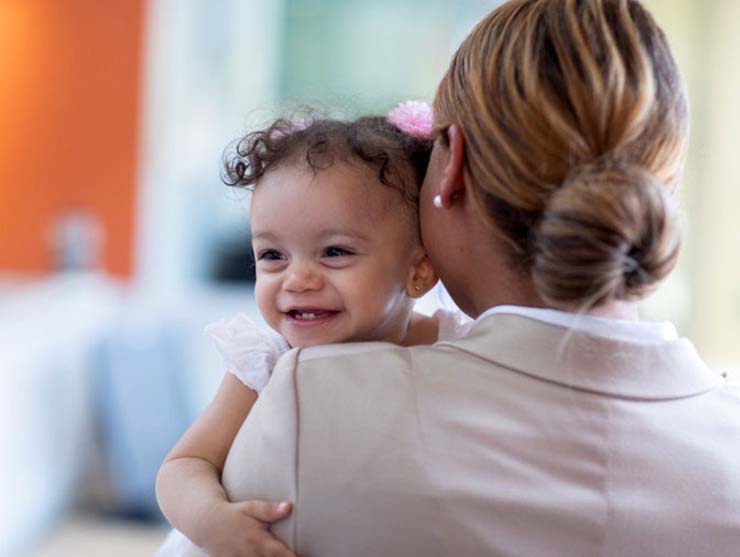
88,536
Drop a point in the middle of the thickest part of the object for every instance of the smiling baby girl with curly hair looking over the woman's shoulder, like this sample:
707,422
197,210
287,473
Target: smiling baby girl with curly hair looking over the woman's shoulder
338,259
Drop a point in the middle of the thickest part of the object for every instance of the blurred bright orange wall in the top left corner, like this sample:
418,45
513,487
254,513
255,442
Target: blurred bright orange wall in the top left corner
69,112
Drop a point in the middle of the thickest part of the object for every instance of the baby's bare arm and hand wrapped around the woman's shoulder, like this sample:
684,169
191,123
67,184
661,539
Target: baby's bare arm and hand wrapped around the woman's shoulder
189,491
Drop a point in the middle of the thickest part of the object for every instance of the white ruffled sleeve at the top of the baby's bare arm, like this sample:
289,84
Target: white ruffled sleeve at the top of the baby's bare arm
248,350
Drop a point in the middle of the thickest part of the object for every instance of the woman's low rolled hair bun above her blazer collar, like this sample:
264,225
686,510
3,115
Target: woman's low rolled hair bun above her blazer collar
609,232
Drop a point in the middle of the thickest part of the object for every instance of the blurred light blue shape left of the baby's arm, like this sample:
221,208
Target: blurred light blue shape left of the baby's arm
139,381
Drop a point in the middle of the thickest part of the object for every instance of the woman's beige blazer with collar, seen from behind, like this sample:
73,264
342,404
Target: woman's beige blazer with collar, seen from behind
623,447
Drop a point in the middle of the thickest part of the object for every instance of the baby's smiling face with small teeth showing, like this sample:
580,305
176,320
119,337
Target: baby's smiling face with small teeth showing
335,252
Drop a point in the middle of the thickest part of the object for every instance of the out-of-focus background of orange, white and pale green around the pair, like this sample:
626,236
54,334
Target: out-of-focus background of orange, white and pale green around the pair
119,242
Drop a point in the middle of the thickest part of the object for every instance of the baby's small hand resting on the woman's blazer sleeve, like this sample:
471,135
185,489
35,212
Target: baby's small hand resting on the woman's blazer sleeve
240,529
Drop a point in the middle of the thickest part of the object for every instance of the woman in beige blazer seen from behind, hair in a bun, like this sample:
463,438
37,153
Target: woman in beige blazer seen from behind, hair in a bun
561,425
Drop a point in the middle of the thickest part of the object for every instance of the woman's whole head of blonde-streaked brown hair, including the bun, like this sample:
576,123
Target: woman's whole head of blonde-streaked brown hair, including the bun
575,122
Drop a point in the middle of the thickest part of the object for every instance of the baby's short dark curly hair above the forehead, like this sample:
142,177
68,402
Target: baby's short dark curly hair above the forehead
321,142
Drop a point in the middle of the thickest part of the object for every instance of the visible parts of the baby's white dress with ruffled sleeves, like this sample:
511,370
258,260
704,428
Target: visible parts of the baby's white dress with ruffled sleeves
250,352
